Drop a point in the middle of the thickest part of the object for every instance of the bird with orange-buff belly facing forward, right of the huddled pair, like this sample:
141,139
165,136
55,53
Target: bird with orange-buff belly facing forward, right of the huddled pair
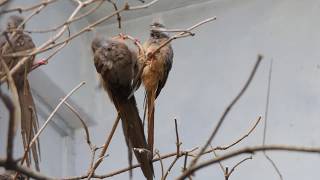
155,73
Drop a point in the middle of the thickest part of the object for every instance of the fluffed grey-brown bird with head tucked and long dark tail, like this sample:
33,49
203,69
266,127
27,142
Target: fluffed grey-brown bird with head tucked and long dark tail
117,66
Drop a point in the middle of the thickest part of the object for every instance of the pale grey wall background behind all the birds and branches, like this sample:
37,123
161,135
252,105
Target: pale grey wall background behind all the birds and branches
208,71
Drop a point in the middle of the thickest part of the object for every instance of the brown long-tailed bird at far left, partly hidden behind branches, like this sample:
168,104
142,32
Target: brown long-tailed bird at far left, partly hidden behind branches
11,41
